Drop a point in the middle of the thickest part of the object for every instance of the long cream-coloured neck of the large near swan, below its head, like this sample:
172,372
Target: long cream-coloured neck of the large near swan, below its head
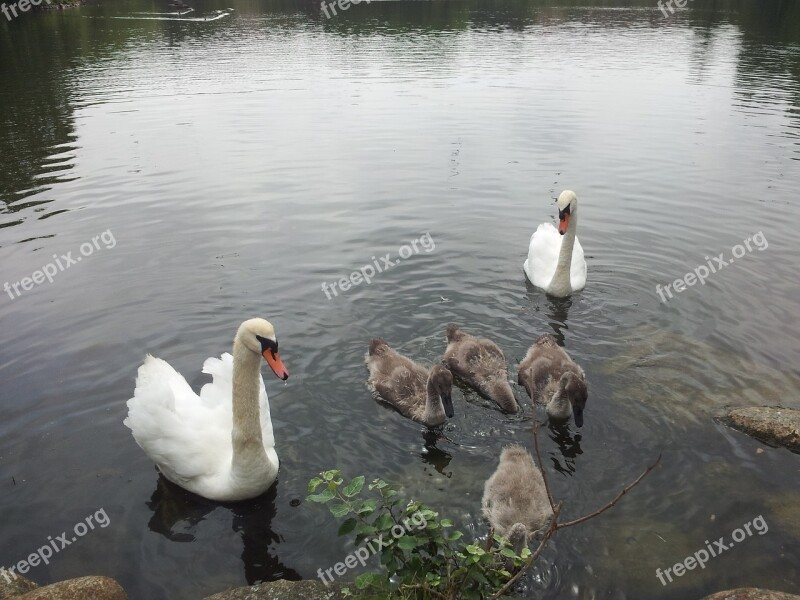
248,446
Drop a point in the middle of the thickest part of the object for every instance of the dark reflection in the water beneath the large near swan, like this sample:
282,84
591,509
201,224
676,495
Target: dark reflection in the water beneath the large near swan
177,514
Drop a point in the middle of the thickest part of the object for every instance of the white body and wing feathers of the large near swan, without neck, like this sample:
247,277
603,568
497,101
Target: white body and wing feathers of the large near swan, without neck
189,436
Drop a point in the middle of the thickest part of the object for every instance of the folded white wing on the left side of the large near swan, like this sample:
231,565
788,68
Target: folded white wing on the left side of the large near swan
176,429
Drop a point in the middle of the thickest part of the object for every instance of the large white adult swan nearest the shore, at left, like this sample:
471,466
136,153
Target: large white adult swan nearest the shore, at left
218,444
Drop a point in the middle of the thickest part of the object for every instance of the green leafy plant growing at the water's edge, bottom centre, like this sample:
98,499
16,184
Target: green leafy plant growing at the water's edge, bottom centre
429,559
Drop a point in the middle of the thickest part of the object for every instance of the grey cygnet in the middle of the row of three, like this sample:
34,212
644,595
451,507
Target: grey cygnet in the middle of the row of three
482,366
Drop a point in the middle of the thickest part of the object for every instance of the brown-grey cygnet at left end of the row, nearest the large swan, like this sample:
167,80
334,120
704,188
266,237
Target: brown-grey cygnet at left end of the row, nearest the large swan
402,383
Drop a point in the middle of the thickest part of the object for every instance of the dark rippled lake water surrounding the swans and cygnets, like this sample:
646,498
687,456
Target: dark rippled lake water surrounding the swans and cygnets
239,163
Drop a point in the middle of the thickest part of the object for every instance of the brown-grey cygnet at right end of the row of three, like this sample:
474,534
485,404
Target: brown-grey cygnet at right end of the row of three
552,378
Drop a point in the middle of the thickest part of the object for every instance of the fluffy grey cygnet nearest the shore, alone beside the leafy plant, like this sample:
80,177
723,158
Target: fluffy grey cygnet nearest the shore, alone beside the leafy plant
515,499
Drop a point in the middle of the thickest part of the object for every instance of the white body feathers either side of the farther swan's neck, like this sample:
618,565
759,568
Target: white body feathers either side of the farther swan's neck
545,246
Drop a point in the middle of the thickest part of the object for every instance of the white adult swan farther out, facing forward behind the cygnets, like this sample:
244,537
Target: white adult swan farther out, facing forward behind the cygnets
555,260
